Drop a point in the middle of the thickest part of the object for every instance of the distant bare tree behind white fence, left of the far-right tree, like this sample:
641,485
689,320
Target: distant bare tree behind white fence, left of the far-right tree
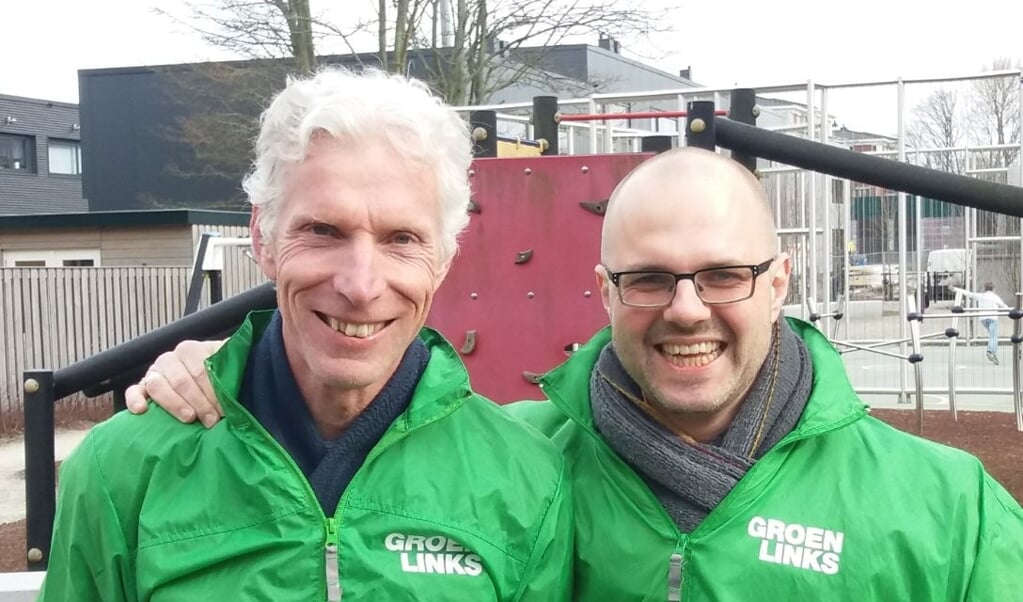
938,124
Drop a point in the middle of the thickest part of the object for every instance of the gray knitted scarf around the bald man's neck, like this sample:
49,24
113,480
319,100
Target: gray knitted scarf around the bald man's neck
691,479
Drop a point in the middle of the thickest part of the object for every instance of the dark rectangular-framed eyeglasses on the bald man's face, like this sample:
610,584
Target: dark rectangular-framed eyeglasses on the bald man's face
715,286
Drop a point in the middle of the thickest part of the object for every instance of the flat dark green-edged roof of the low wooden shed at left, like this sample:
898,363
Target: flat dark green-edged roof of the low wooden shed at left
125,220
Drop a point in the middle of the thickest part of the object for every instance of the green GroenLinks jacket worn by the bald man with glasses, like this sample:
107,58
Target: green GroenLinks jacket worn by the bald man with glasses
843,508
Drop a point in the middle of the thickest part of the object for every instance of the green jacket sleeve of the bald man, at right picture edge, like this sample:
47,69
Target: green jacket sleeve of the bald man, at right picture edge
998,570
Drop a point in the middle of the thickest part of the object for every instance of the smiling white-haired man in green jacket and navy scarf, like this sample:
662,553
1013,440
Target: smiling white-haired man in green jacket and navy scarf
354,461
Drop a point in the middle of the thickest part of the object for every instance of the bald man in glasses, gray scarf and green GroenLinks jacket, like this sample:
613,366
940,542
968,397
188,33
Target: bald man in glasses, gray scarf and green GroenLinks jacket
719,452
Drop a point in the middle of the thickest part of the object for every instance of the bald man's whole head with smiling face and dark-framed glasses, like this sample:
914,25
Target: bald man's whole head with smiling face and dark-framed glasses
690,212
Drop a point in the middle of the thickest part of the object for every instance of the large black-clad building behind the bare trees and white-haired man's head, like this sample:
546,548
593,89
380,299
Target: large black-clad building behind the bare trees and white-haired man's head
180,137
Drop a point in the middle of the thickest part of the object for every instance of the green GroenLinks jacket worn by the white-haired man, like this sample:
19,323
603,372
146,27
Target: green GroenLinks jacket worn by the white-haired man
457,502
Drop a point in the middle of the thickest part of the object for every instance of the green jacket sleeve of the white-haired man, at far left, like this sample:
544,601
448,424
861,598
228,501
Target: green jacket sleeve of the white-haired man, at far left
90,557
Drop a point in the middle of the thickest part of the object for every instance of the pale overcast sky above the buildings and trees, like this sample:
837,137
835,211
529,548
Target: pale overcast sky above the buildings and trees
782,41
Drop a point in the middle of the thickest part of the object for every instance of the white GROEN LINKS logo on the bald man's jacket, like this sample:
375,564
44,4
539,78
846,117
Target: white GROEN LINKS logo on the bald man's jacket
796,545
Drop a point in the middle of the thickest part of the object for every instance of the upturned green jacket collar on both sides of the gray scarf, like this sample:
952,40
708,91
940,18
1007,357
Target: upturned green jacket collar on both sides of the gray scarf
832,404
